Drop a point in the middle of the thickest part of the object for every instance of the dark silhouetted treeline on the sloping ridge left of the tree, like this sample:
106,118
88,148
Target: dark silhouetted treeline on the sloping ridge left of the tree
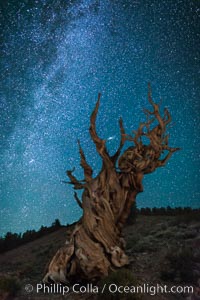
13,240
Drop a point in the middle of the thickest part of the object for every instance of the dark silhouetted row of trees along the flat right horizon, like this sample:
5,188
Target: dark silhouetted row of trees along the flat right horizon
167,211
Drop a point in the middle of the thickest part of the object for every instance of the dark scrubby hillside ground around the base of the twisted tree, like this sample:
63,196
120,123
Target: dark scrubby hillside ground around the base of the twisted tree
163,250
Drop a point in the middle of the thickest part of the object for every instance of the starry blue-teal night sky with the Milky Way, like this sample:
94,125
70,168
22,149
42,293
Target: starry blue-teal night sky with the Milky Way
55,58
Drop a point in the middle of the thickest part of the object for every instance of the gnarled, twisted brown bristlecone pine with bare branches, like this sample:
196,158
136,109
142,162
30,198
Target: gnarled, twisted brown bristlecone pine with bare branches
96,245
